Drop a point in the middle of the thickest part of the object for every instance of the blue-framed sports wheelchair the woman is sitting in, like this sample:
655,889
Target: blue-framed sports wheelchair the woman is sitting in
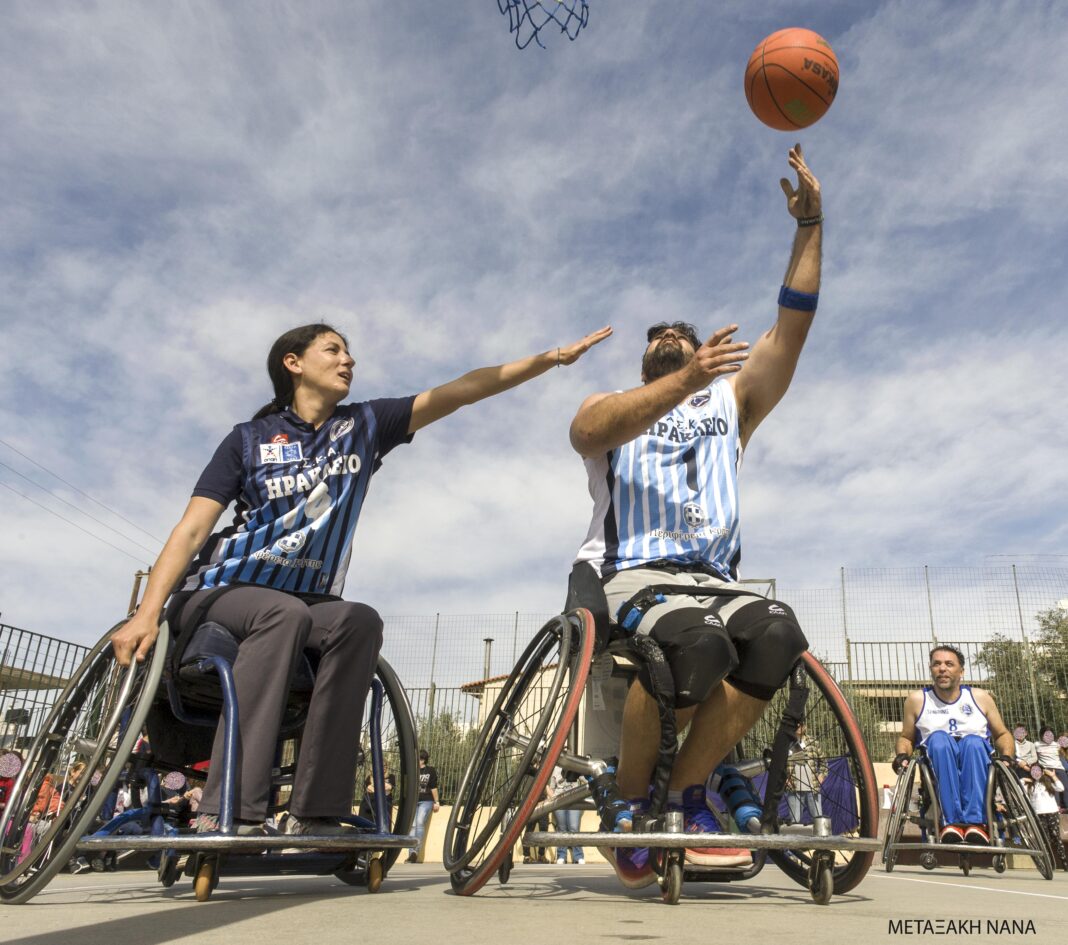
61,804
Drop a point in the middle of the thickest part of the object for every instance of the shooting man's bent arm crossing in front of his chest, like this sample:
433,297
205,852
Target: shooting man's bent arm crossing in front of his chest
607,421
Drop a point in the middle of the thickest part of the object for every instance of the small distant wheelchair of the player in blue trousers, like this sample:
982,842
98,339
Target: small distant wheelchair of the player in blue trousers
1012,825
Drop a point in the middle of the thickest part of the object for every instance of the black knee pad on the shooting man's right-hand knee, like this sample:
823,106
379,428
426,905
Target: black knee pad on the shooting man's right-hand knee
771,642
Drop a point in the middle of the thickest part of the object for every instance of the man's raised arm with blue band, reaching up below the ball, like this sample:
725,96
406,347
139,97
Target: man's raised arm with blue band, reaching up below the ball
767,375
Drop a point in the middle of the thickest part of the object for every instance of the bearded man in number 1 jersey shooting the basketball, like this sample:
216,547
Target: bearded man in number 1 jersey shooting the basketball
663,461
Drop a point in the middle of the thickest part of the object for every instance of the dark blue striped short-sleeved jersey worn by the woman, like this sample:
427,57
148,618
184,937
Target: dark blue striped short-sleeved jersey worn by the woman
300,492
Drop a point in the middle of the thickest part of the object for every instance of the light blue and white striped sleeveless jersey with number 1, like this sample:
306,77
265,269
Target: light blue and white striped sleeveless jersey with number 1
671,494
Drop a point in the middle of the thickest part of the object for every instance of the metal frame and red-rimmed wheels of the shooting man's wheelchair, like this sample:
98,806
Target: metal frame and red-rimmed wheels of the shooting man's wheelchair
808,858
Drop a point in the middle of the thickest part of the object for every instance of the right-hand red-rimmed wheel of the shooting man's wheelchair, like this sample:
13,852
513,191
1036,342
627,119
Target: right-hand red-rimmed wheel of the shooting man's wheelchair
847,792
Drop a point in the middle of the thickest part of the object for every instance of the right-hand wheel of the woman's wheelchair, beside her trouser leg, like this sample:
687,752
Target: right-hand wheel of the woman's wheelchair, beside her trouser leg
400,755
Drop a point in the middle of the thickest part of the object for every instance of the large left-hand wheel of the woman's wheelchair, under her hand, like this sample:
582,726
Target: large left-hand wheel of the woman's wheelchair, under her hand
74,764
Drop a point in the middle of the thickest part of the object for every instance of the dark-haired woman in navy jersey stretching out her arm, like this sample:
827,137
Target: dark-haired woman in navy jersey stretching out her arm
299,472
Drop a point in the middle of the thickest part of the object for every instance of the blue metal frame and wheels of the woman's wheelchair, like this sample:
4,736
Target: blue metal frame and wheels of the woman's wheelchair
99,719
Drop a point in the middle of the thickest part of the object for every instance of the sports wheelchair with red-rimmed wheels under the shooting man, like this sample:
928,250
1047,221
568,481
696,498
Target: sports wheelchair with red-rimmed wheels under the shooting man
535,726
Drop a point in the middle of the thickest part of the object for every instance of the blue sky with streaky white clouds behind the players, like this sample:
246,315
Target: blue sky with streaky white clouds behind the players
181,183
